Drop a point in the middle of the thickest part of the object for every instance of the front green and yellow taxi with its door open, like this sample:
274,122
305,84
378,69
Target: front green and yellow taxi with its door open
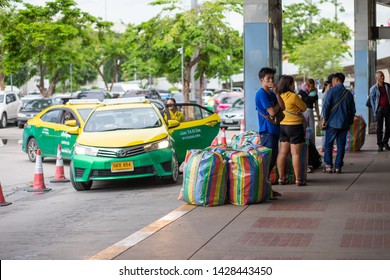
125,139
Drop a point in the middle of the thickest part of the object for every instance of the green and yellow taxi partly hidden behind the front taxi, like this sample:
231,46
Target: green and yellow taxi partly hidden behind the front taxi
55,125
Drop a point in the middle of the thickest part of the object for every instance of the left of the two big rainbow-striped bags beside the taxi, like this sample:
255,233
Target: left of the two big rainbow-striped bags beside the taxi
204,178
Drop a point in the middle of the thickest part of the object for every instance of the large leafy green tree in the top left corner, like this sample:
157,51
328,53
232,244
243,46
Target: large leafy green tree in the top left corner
45,36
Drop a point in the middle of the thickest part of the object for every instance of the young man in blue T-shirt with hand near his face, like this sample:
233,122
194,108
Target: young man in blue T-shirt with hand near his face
268,103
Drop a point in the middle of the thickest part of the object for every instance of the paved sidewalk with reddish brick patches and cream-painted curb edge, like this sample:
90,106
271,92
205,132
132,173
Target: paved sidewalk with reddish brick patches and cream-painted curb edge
336,216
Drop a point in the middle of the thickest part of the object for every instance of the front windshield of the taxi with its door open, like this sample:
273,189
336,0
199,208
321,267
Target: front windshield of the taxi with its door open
122,119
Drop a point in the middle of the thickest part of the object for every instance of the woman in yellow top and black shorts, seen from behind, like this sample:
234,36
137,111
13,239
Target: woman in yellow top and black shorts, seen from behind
292,134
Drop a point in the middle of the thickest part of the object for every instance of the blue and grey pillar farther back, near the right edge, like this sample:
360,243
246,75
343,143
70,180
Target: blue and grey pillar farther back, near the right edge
365,54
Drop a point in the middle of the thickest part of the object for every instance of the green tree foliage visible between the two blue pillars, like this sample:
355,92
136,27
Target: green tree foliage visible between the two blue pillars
315,44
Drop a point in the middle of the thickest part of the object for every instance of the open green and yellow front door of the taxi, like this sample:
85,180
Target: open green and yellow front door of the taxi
198,130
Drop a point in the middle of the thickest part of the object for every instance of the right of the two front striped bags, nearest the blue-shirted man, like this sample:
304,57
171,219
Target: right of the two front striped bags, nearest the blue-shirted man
248,176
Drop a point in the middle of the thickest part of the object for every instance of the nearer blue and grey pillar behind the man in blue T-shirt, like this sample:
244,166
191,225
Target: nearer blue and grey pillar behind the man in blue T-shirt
262,48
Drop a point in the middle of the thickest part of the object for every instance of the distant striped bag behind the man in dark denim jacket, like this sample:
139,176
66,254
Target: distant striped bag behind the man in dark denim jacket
356,135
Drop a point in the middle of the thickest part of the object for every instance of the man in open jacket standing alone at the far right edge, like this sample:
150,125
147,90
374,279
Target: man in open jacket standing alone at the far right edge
379,99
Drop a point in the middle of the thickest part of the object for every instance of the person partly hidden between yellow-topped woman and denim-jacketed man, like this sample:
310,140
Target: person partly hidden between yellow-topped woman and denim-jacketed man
310,97
